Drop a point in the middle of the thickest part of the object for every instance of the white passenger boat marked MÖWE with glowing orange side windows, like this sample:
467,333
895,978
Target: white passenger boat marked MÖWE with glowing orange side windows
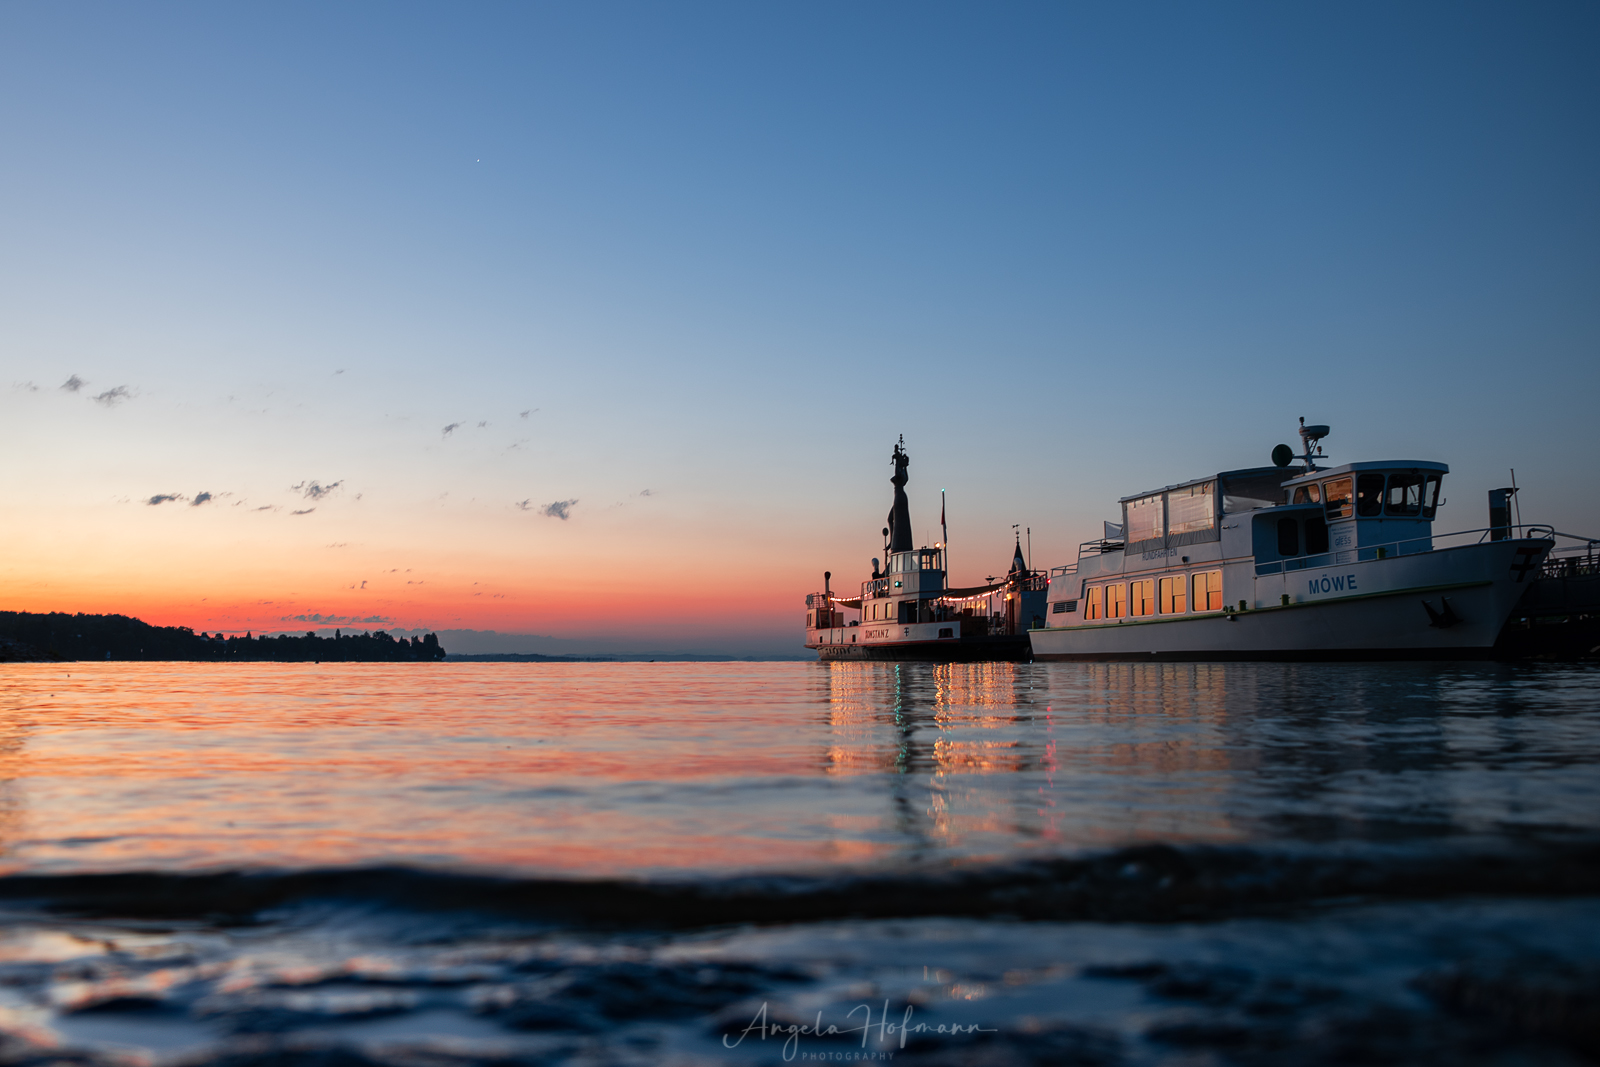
1290,564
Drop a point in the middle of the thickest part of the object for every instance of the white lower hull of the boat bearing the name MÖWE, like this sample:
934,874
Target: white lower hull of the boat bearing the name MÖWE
1370,609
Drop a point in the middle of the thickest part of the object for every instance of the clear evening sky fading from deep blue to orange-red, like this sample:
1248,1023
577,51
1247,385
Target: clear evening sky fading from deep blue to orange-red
599,321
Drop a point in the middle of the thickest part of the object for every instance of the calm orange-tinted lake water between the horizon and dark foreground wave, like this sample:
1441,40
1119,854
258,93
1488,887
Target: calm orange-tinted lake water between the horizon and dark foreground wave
638,769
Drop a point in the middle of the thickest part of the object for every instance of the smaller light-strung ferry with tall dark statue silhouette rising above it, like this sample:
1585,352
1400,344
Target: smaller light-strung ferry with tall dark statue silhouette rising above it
908,610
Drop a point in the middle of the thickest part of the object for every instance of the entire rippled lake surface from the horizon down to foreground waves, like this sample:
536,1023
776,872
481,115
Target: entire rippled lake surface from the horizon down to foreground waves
647,863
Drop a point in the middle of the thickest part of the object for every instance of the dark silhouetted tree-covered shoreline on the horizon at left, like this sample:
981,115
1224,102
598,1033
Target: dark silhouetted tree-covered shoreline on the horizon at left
60,636
